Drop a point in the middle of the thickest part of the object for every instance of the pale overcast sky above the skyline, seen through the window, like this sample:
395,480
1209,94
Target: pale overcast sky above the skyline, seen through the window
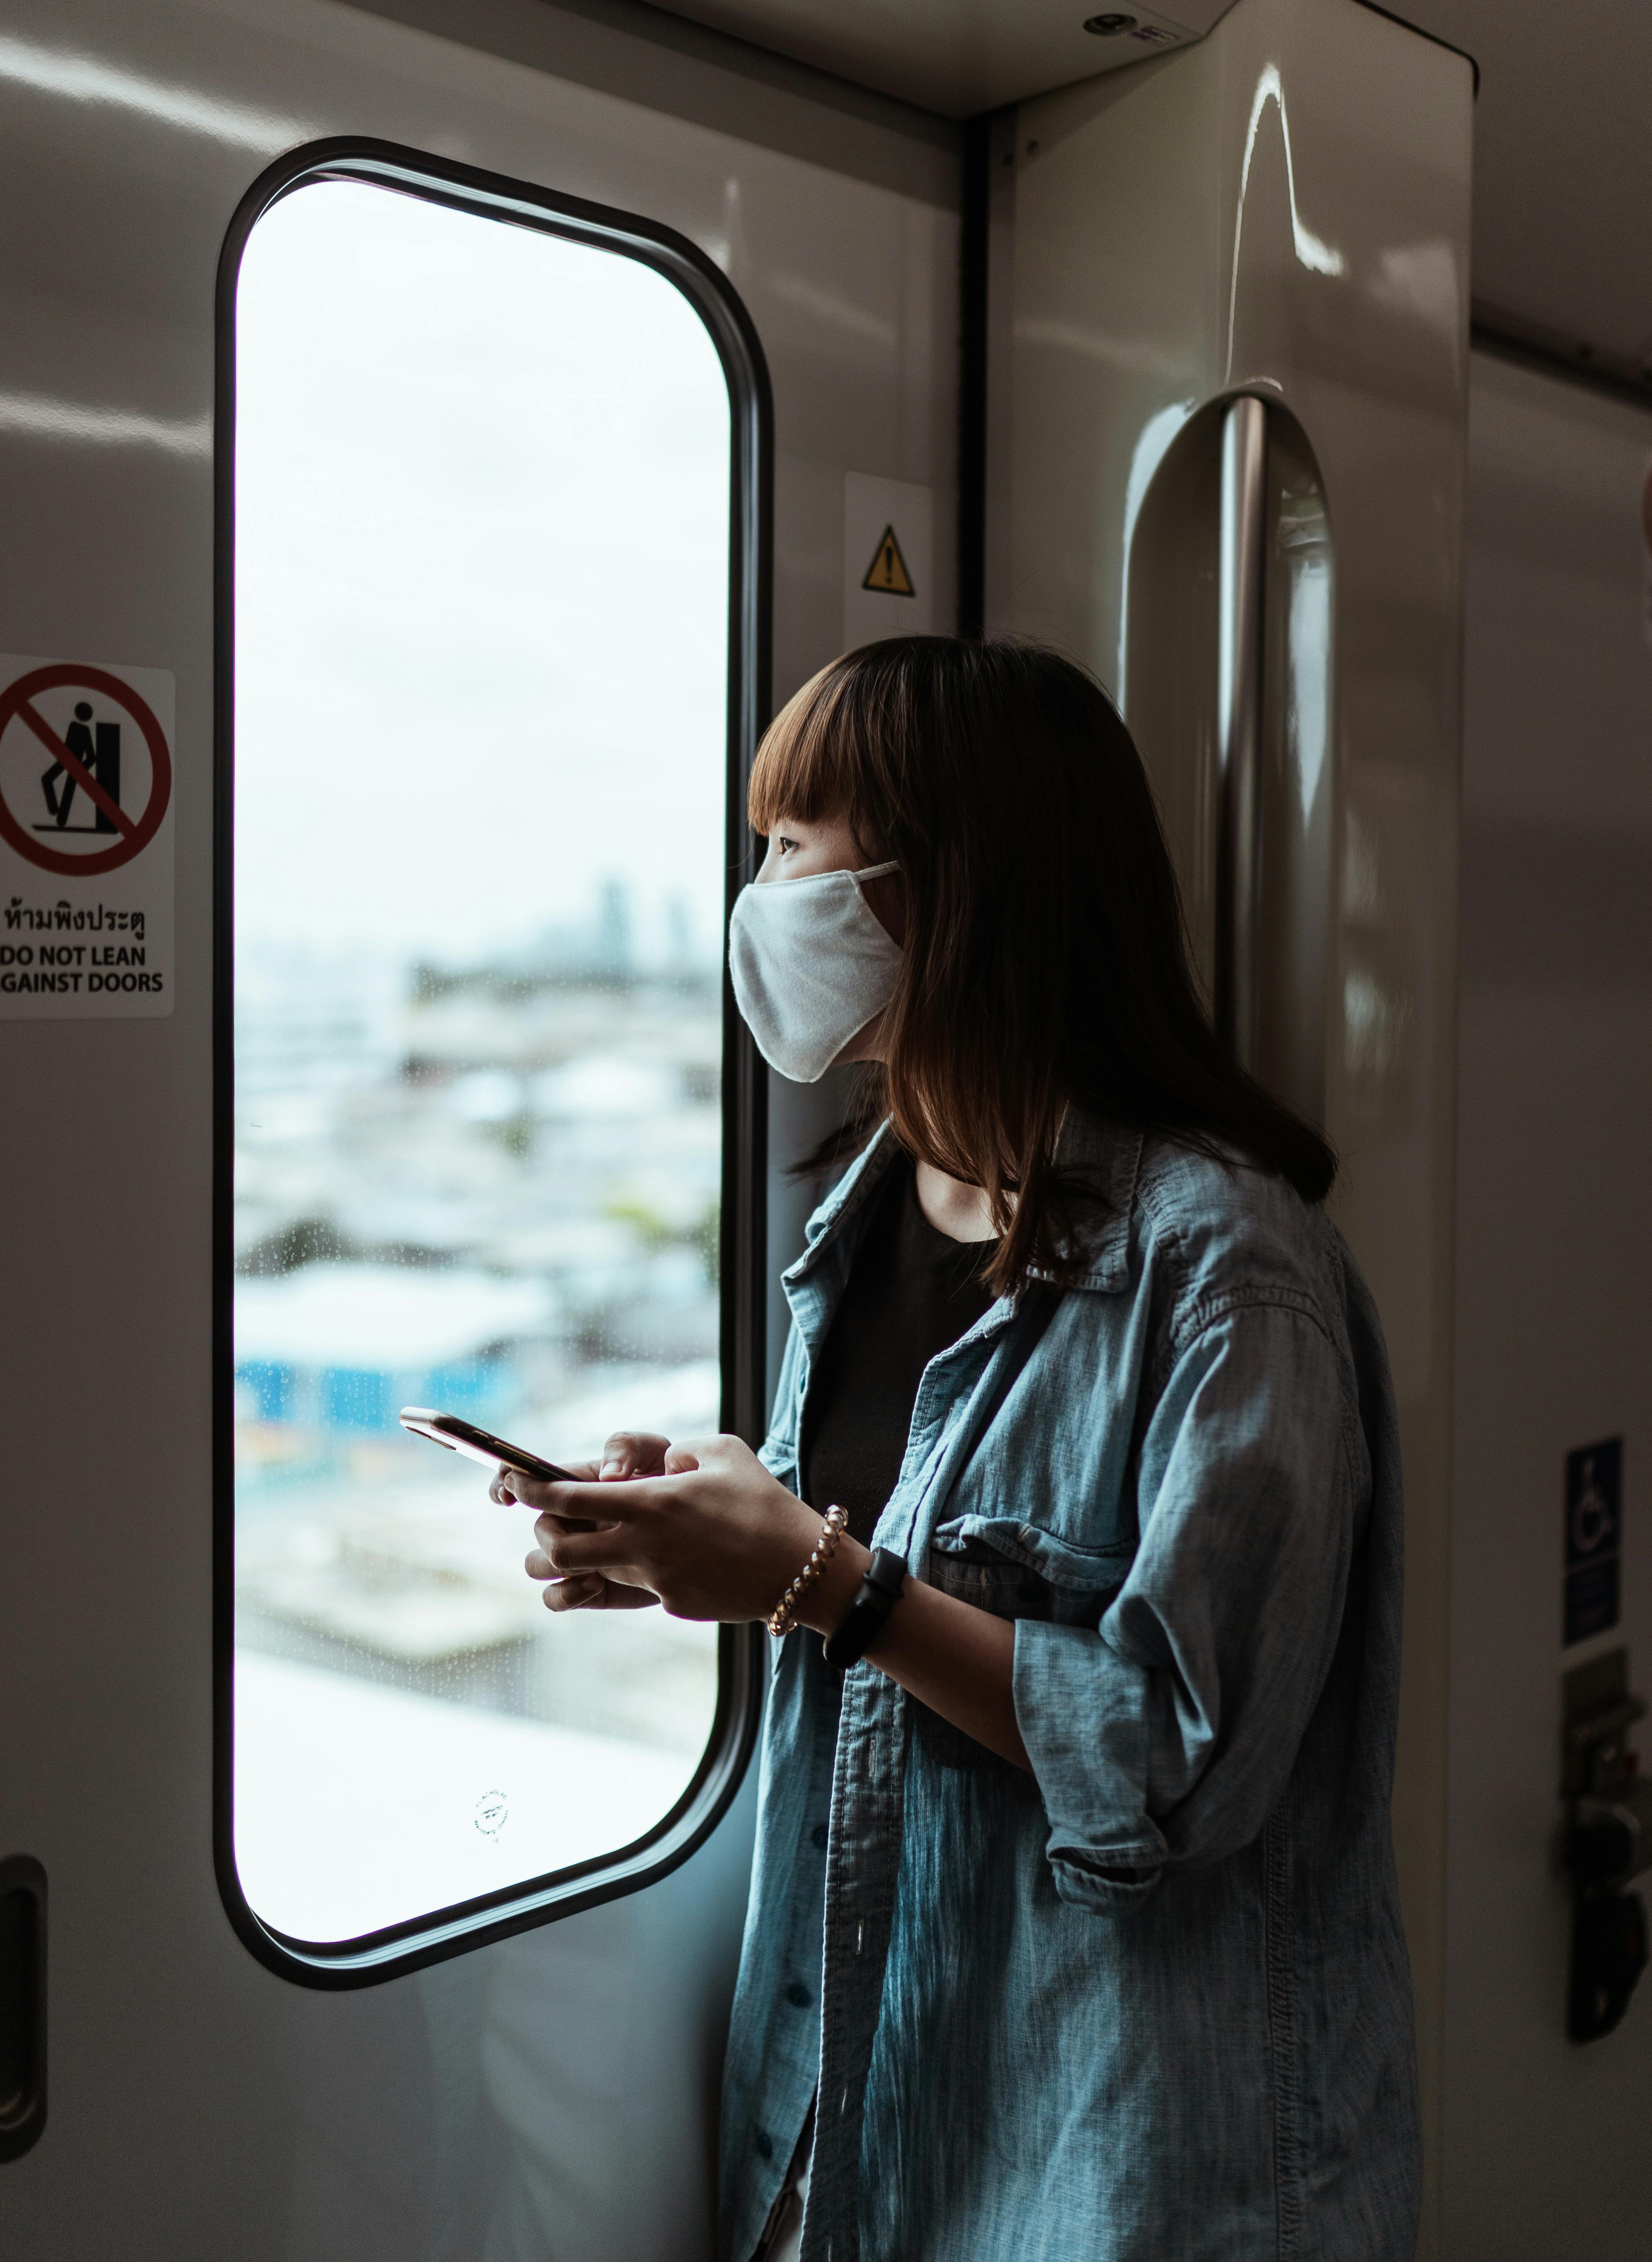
483,578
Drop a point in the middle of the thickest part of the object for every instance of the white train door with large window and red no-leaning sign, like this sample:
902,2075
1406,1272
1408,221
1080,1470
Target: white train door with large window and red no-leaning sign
442,526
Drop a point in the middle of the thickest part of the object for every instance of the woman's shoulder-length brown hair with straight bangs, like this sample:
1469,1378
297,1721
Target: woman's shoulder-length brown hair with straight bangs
1047,956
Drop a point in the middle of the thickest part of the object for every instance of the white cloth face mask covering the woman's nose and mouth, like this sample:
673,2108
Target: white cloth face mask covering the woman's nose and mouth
811,965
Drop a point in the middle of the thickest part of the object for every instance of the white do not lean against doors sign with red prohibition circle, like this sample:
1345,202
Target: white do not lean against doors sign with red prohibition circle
87,802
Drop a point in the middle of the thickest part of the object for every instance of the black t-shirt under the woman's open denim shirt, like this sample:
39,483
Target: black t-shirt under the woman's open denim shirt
911,1295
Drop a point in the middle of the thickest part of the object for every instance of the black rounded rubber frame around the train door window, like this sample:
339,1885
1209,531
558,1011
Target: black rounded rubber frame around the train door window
689,1824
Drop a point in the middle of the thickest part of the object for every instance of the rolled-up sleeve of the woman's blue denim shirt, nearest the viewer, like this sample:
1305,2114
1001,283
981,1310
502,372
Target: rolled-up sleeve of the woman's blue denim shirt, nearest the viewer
1167,1734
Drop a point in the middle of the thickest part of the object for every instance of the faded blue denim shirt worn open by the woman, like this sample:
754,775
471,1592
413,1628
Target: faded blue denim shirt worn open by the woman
1148,2003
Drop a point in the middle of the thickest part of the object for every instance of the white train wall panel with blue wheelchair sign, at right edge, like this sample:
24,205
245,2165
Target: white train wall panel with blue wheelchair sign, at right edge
1554,1318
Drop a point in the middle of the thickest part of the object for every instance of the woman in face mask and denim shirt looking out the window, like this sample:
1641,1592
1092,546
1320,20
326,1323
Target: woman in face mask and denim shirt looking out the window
1074,1924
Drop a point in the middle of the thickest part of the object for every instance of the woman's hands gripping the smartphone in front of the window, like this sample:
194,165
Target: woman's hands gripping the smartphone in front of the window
714,1537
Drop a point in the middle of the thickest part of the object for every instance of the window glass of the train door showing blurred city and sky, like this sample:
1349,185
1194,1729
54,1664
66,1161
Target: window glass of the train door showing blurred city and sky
481,775
